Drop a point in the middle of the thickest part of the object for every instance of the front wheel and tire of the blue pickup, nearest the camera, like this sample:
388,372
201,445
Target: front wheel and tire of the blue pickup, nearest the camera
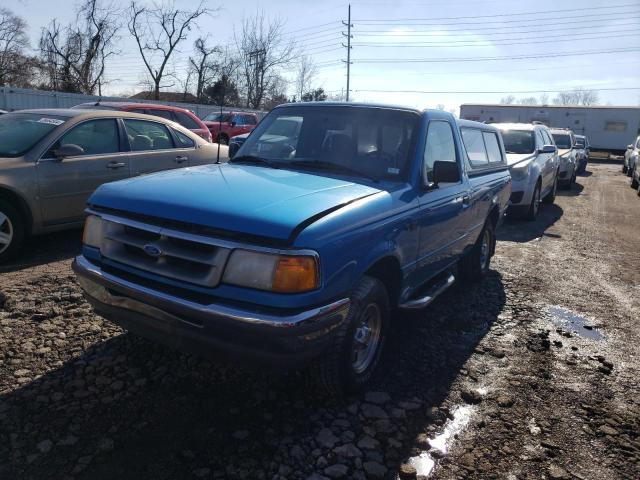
348,364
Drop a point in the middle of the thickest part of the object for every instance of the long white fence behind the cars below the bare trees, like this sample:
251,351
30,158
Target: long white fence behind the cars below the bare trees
24,98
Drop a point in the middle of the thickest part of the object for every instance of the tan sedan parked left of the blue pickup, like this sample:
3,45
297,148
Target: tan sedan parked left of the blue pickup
52,160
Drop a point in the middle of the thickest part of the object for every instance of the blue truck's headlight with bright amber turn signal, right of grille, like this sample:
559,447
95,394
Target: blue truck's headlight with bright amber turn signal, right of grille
276,273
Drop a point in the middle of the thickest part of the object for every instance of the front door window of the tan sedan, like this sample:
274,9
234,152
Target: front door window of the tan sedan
95,137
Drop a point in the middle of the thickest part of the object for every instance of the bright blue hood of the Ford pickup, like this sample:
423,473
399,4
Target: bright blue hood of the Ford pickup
238,198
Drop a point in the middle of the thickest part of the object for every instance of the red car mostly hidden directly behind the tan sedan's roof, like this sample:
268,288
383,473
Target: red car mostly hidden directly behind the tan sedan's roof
179,115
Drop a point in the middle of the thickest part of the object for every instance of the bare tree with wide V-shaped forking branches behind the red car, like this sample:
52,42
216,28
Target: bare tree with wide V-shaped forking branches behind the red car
158,30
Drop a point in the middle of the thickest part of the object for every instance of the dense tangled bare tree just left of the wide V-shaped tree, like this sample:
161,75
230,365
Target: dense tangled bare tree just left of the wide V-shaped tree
74,57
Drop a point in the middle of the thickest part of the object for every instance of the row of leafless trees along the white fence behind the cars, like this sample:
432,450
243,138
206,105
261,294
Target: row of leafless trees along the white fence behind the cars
74,57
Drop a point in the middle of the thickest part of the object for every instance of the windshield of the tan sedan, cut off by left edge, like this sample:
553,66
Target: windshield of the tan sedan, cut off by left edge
19,132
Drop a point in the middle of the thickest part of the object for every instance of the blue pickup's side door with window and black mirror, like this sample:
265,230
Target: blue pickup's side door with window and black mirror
441,207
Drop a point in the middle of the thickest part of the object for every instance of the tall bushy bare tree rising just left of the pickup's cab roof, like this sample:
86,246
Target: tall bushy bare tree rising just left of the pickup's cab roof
262,50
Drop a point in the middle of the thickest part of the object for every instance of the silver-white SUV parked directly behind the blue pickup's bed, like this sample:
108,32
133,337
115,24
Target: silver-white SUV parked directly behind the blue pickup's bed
534,166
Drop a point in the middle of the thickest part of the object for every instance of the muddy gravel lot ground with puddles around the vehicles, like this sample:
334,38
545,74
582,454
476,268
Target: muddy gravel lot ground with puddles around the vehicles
532,374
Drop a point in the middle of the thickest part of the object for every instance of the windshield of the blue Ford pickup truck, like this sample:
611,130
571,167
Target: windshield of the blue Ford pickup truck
364,142
